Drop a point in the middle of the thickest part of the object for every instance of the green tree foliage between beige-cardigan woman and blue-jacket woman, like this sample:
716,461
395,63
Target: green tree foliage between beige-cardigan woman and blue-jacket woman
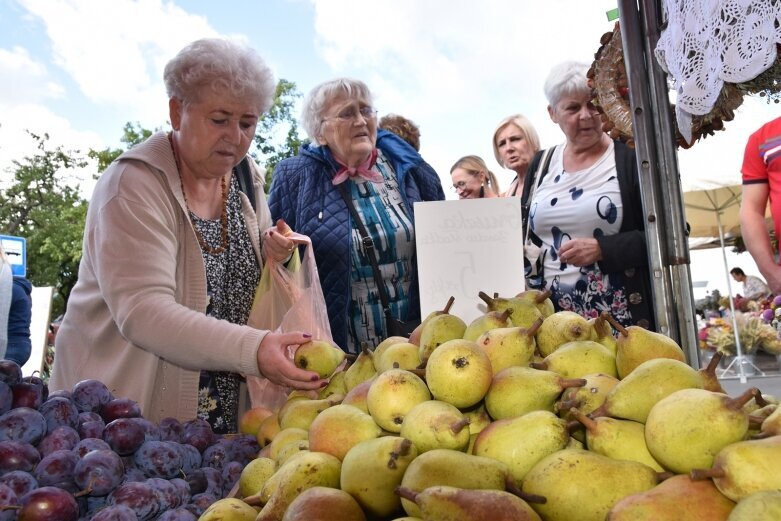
277,135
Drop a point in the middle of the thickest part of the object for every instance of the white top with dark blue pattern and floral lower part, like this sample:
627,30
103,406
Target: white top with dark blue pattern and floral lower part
567,205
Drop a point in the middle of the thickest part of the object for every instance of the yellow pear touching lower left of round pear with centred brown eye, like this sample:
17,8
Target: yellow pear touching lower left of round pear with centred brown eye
391,396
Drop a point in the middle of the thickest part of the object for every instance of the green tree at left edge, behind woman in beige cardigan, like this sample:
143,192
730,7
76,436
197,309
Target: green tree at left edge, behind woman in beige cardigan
43,205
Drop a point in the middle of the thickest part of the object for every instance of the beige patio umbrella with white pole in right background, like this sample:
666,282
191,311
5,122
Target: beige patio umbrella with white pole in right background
714,212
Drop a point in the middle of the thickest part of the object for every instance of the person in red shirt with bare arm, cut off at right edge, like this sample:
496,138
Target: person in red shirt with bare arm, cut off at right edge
762,183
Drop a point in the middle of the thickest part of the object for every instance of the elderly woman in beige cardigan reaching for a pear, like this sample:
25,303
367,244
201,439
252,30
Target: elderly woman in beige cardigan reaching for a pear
173,251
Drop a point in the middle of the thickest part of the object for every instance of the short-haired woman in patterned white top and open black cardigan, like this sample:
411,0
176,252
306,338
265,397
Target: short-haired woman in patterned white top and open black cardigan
586,213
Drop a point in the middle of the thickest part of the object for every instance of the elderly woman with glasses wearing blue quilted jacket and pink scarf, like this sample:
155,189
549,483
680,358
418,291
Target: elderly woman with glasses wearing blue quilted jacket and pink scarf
381,176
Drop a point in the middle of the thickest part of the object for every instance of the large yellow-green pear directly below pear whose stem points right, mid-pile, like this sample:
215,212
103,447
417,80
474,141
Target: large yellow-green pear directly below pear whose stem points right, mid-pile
522,441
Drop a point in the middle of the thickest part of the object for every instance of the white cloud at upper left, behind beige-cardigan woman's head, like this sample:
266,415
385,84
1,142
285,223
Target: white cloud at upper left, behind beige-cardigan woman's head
116,51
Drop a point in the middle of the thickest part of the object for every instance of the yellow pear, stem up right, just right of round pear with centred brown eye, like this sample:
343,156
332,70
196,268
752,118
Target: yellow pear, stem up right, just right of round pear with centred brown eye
509,346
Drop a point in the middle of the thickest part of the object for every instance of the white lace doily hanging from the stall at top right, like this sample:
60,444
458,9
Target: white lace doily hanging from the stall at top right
708,42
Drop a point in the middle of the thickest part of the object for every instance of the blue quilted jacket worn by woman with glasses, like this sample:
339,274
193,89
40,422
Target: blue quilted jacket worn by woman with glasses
302,195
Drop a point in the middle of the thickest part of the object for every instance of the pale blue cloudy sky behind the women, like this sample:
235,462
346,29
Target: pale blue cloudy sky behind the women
81,69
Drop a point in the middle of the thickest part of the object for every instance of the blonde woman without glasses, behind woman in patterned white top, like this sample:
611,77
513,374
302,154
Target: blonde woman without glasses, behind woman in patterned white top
515,142
